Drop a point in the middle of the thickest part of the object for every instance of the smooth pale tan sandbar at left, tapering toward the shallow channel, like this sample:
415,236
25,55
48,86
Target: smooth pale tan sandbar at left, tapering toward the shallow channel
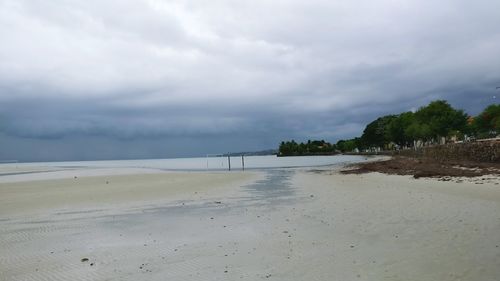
69,193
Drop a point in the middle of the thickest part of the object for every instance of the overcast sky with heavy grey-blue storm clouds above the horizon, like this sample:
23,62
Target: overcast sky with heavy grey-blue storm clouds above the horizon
125,79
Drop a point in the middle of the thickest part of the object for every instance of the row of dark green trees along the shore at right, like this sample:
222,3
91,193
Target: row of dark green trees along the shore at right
431,124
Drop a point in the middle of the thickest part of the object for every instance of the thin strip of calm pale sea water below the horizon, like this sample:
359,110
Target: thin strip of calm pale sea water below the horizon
207,163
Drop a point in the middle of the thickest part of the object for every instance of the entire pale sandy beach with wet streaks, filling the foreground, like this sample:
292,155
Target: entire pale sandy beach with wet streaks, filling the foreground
279,224
